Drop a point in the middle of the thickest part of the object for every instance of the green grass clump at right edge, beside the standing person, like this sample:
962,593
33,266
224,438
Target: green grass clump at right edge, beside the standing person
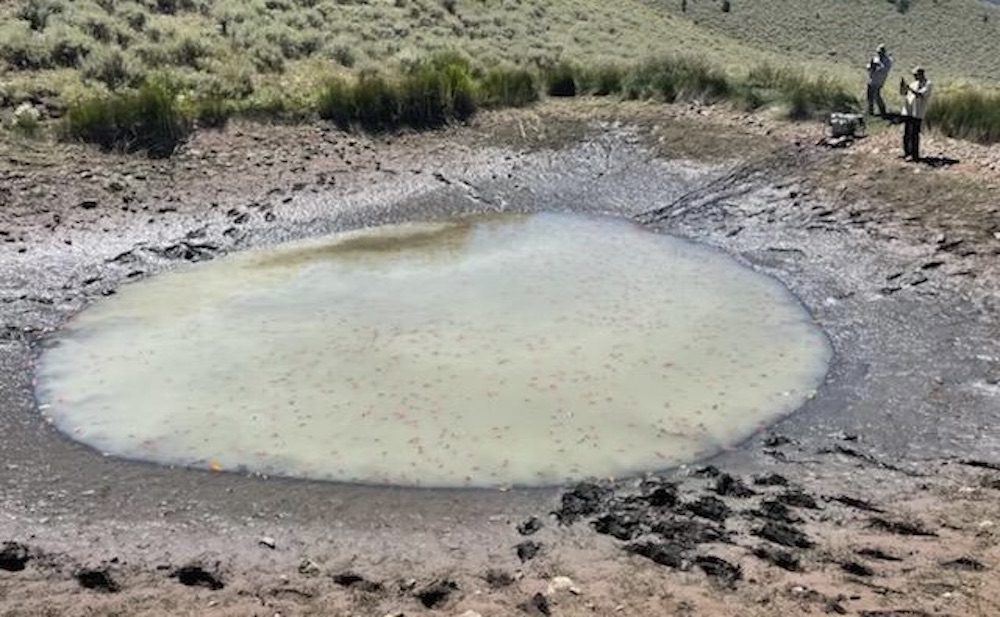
967,112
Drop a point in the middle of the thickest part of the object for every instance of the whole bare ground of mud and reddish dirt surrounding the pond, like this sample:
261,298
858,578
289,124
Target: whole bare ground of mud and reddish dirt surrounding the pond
881,497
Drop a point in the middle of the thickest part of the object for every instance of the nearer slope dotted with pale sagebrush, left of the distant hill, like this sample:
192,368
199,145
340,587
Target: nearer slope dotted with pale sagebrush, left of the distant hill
61,48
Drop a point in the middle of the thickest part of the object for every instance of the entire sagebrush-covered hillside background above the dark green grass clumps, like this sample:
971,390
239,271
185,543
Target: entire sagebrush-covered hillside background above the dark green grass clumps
56,50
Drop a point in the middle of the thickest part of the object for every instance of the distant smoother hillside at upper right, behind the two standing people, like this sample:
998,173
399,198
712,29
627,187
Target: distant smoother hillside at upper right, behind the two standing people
954,39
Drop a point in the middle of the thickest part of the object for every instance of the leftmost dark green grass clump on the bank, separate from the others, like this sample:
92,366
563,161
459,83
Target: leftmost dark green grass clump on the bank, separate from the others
149,119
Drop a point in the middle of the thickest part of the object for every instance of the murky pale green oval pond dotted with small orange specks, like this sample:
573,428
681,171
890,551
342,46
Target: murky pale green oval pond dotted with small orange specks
489,351
